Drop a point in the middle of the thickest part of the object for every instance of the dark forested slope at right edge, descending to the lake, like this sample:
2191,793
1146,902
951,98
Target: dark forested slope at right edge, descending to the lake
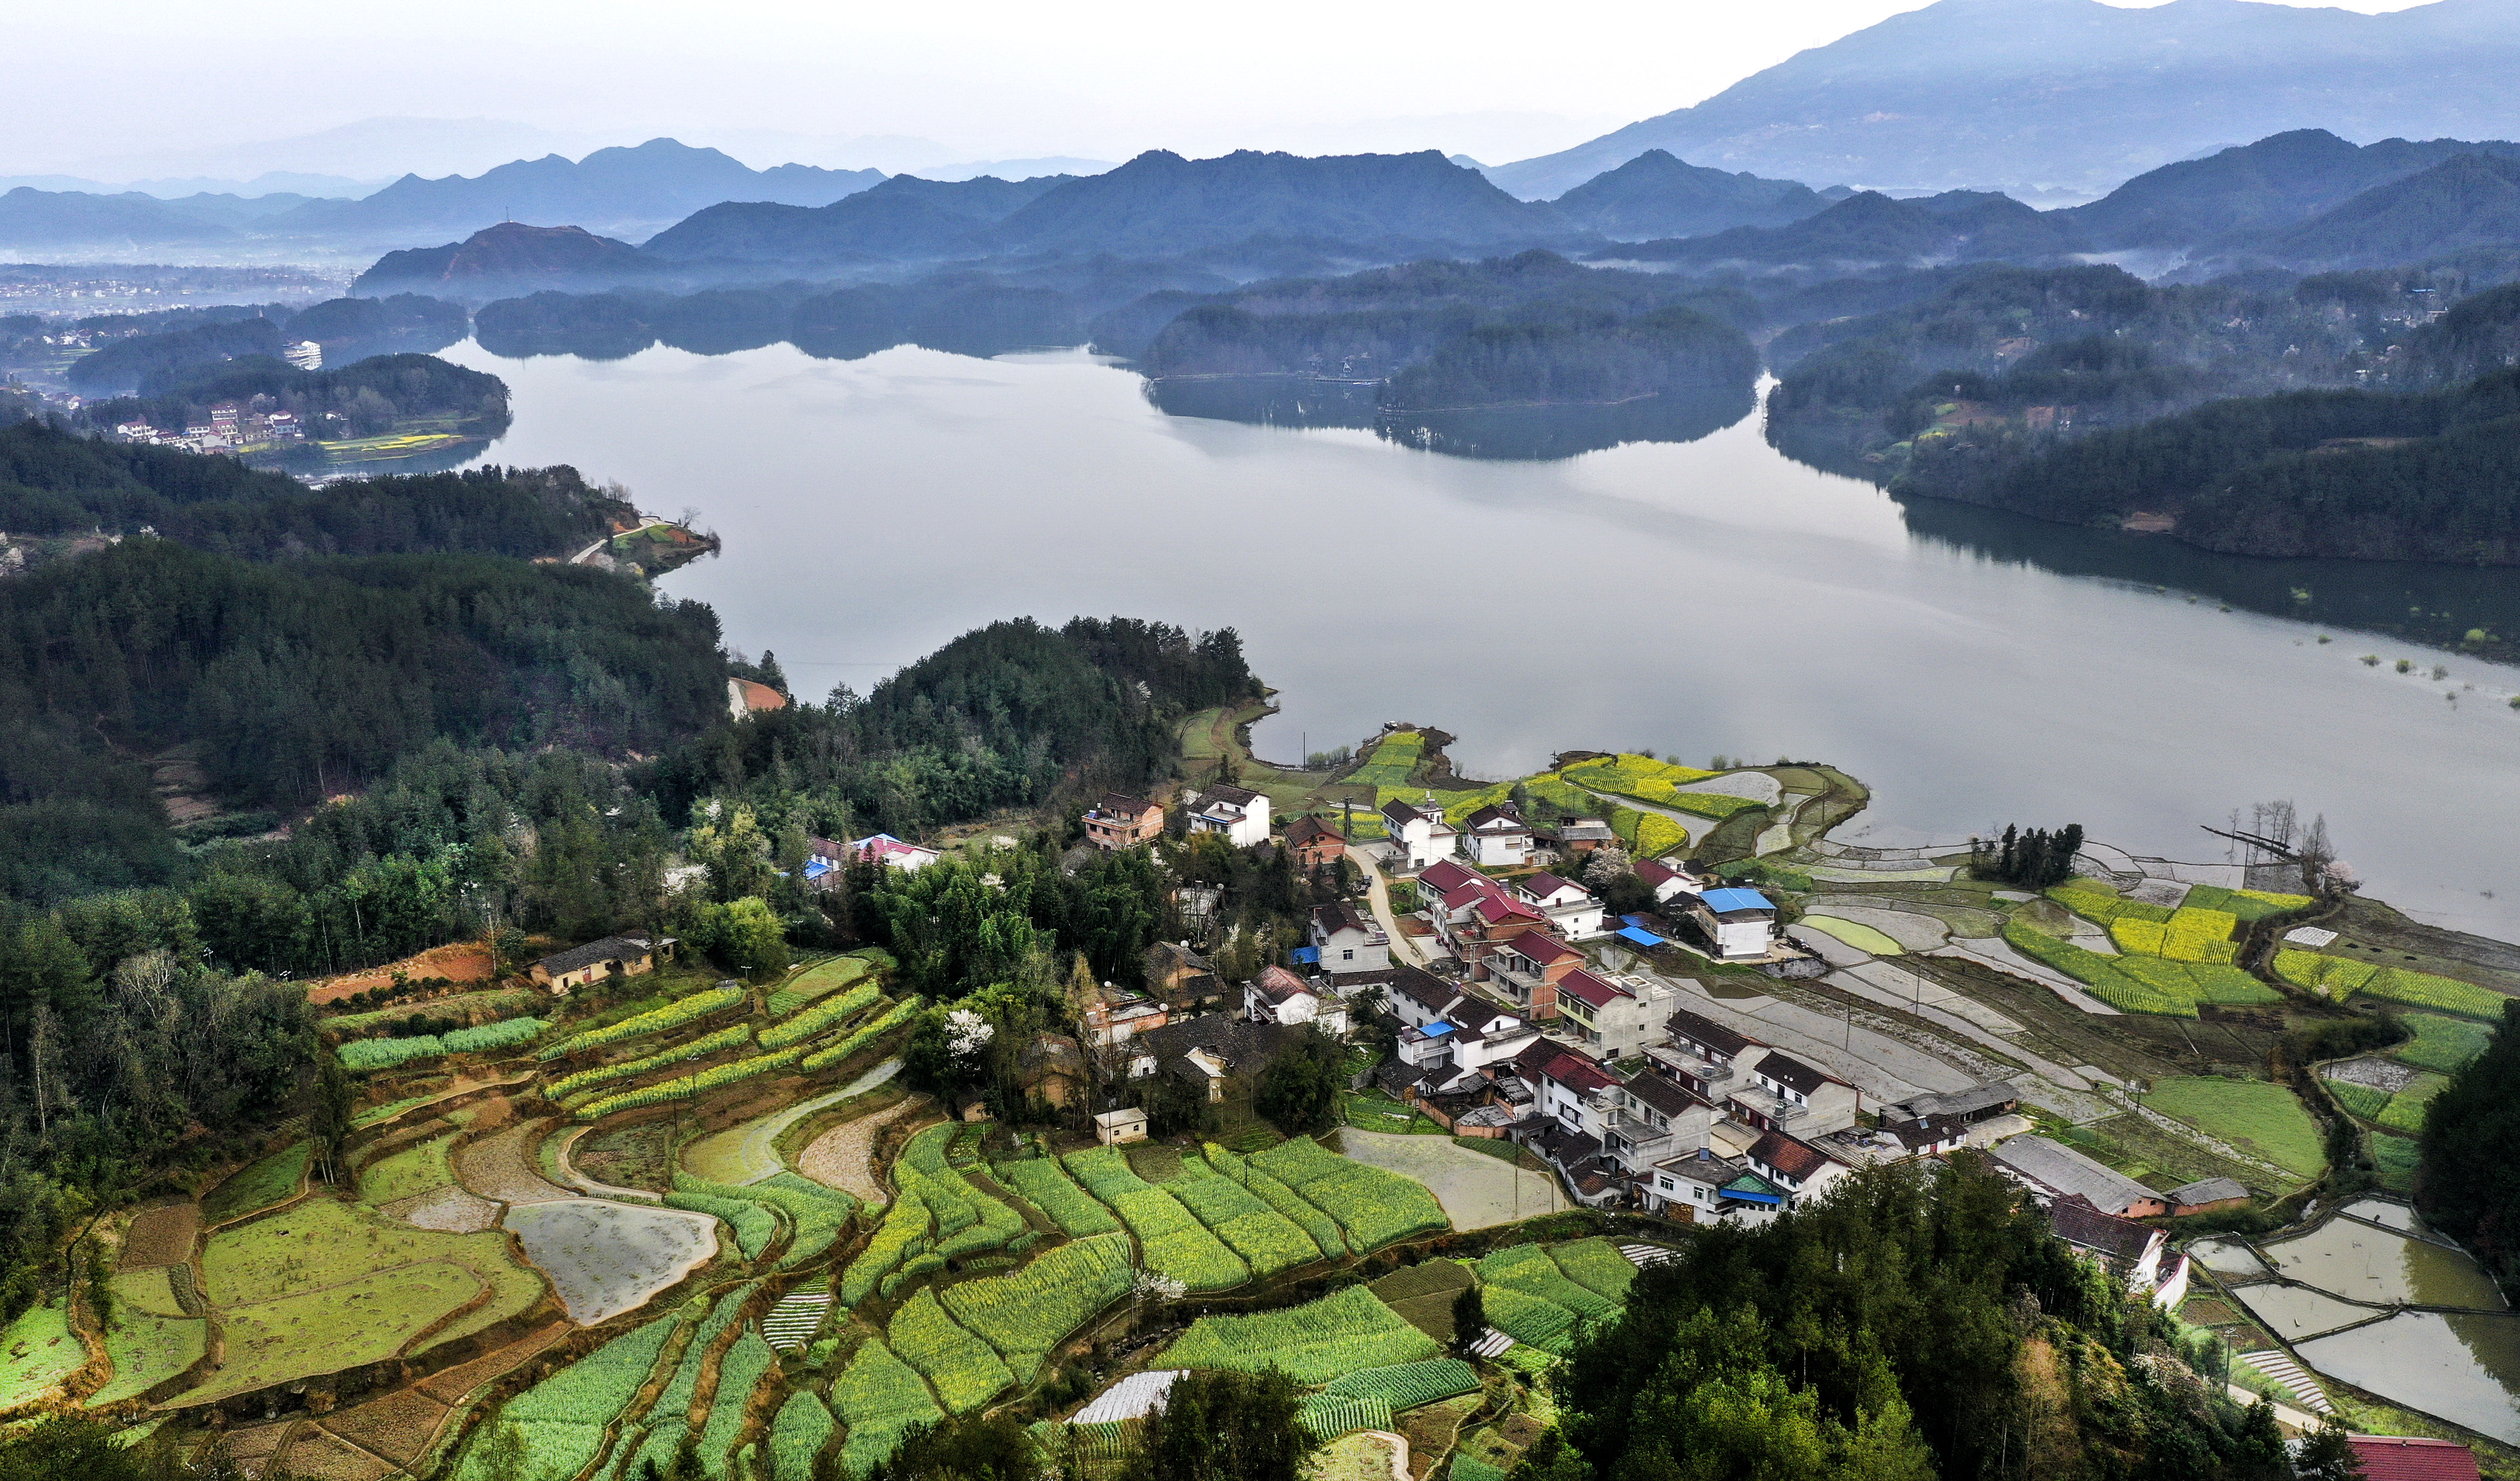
2350,475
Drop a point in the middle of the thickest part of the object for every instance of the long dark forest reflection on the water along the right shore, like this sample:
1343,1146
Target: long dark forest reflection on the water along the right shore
2425,603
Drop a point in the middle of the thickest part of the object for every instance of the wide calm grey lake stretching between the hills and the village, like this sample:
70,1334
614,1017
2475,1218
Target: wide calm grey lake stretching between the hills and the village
1680,596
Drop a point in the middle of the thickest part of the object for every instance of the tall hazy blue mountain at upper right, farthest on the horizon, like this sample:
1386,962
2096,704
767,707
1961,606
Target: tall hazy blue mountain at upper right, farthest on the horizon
2078,94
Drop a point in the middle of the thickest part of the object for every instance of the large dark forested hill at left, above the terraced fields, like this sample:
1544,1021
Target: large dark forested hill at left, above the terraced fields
289,684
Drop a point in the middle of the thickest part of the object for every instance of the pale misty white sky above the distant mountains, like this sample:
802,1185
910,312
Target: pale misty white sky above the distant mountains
163,87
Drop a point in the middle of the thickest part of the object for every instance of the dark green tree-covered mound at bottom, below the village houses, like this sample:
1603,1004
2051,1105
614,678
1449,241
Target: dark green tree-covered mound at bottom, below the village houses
1919,1324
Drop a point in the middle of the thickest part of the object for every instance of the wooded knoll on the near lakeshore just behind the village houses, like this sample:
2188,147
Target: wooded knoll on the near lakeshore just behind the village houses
1007,717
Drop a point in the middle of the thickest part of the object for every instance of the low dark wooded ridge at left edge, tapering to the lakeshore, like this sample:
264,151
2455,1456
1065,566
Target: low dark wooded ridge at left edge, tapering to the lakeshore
57,485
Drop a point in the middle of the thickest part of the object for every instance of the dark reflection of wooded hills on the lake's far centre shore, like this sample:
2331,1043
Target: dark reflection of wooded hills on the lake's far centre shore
1501,432
